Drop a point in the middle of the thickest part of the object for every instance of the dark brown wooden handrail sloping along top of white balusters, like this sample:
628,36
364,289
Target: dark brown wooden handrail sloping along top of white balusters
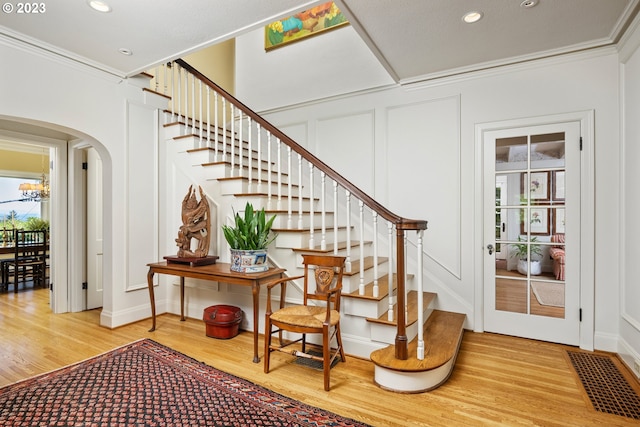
400,222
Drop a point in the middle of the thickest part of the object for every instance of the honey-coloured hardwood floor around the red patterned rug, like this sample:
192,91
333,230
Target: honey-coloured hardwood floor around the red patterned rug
497,380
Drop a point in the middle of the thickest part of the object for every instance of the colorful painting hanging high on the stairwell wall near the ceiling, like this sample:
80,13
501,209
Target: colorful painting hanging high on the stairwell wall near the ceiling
307,23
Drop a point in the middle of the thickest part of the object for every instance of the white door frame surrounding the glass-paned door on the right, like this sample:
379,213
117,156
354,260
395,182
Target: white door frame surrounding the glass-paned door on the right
587,215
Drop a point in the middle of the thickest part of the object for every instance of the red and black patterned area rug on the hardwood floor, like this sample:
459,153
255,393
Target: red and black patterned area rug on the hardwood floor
148,384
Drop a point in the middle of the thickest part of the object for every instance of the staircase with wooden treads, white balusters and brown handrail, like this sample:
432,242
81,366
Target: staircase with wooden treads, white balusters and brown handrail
237,157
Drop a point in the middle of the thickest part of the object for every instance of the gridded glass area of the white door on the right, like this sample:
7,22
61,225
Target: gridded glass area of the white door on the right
529,224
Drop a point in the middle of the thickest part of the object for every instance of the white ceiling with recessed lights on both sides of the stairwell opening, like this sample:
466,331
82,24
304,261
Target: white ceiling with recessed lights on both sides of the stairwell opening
413,39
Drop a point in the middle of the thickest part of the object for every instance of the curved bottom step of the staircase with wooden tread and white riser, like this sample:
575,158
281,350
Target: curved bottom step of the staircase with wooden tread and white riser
443,334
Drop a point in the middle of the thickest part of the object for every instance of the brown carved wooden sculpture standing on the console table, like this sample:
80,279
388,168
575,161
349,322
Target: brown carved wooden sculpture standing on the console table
196,224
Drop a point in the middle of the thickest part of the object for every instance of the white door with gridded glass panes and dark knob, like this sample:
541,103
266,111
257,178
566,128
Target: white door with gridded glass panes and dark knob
531,198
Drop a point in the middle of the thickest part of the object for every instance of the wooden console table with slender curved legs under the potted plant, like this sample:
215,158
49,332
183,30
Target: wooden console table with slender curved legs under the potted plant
215,273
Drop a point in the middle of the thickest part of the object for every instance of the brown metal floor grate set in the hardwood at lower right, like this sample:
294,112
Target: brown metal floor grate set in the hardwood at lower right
607,389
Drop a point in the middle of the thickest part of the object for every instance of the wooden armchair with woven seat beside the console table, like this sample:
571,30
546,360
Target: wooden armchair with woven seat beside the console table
309,318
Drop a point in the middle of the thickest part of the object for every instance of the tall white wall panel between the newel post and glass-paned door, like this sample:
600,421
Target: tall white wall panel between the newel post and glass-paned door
423,161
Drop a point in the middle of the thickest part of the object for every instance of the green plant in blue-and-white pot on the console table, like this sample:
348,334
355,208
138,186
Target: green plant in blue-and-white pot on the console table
248,240
